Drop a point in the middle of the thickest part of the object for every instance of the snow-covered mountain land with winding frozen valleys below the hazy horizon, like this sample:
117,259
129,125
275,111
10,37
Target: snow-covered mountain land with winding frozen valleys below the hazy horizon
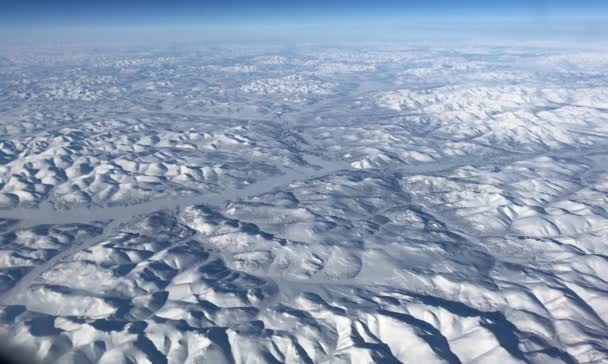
380,204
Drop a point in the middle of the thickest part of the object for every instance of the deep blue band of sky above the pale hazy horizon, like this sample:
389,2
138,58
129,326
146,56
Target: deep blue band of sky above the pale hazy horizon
193,11
